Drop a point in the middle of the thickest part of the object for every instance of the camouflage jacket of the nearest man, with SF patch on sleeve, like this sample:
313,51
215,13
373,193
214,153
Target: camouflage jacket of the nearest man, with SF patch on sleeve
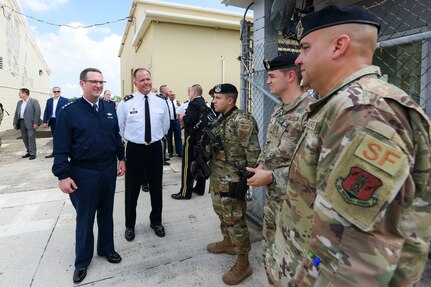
357,209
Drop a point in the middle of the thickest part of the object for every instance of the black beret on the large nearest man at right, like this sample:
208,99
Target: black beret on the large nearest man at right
333,15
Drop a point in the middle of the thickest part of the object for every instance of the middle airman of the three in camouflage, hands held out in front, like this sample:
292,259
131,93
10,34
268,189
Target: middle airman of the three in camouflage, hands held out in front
284,130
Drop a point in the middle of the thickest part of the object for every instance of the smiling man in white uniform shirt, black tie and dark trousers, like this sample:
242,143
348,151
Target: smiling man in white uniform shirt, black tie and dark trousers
143,120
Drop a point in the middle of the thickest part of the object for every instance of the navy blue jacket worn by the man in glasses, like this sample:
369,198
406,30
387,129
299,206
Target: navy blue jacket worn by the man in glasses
86,137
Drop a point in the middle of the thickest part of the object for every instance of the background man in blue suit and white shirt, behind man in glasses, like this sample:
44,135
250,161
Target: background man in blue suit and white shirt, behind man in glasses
52,110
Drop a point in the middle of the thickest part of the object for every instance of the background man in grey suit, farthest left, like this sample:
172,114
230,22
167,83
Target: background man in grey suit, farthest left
27,118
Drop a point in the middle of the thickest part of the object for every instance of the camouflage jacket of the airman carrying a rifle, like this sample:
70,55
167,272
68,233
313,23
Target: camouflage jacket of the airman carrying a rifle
238,134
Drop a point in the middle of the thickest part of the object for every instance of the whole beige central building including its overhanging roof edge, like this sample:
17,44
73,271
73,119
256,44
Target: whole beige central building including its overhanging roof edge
181,45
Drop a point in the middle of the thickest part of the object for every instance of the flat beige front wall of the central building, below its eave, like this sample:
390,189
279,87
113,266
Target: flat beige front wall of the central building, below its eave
187,55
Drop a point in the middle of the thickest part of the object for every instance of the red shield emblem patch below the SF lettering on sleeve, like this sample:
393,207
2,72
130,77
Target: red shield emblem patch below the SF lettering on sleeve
358,187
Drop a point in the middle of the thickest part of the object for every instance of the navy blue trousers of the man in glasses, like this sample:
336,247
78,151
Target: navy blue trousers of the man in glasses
95,194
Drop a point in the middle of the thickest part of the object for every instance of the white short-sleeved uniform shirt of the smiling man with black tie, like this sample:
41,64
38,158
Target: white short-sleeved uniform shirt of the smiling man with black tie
131,118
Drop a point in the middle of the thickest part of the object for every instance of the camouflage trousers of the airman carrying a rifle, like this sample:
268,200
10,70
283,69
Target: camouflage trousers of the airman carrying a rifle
231,213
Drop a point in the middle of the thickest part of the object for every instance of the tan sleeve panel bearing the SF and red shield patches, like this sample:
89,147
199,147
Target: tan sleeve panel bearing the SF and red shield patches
366,177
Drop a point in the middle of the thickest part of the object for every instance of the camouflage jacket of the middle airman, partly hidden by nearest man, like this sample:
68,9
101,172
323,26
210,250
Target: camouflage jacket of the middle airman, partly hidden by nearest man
284,130
